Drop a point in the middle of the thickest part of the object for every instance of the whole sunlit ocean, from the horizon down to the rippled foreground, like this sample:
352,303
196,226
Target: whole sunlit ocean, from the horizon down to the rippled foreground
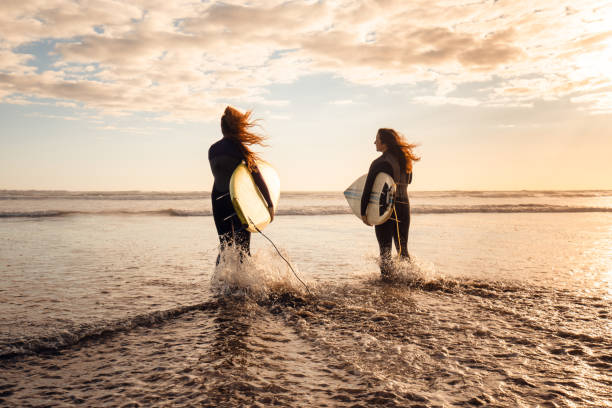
113,299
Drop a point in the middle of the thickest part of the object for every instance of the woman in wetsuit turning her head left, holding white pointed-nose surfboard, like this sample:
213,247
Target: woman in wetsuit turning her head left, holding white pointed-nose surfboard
396,160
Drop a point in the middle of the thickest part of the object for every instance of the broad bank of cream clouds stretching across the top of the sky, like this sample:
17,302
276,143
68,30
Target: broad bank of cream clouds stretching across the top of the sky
184,60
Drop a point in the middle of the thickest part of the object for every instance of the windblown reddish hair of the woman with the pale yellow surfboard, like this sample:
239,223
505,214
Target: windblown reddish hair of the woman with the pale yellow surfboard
237,127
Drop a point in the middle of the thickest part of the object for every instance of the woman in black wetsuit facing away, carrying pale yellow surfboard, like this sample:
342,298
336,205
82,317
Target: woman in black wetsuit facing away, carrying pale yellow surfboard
224,156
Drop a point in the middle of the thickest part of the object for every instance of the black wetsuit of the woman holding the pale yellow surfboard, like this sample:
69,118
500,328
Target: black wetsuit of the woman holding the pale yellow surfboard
224,156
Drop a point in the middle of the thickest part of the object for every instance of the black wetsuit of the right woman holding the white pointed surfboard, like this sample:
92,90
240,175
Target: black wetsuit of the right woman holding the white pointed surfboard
387,232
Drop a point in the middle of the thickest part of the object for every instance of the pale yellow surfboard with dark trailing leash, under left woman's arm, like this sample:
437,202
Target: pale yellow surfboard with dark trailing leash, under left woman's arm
248,202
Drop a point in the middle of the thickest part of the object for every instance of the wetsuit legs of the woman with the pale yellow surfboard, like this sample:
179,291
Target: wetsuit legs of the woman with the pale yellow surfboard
229,227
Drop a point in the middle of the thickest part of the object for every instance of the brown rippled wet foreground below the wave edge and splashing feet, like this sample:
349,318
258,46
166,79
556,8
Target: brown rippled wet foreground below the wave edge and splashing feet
407,343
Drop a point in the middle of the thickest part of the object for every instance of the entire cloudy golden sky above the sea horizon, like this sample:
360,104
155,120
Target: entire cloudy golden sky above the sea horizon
127,95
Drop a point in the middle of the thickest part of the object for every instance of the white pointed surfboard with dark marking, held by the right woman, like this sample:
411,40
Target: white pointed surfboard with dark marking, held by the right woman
380,203
